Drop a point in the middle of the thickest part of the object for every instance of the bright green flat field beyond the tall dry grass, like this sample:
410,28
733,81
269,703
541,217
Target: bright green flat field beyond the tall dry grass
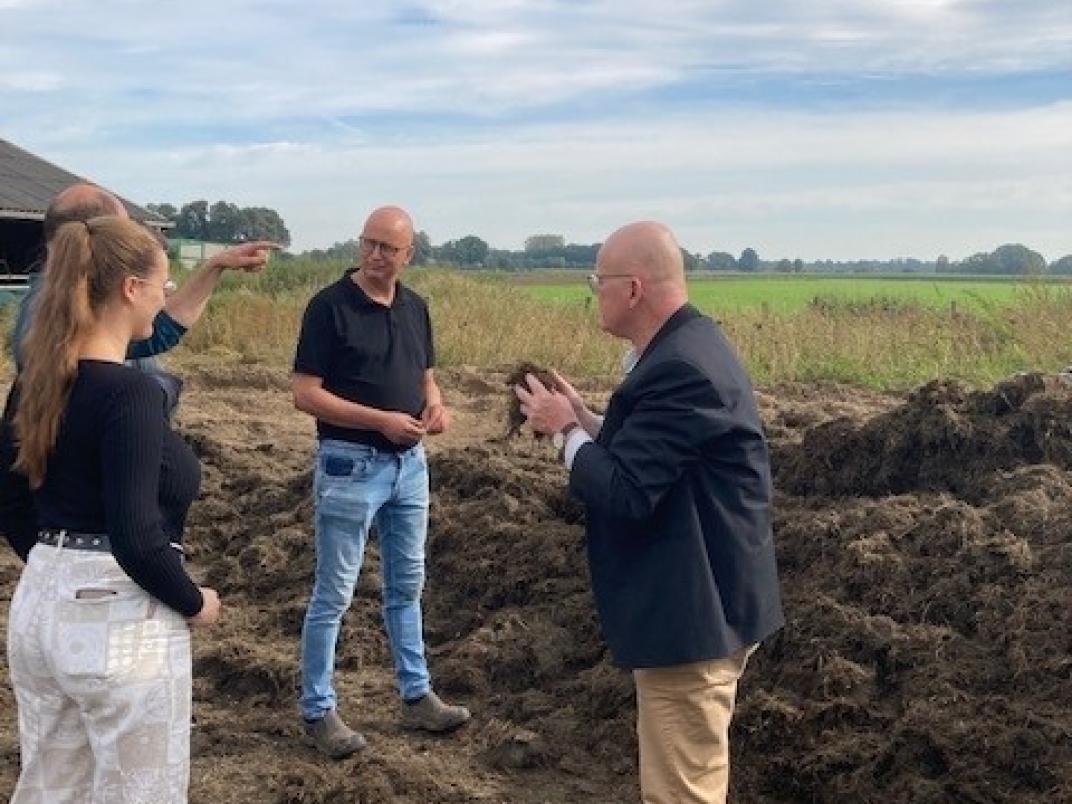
791,294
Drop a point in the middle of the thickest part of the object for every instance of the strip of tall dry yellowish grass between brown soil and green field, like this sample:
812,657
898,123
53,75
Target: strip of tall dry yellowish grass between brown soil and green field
489,322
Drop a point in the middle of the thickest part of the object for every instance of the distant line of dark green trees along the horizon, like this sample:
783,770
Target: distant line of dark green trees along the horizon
227,222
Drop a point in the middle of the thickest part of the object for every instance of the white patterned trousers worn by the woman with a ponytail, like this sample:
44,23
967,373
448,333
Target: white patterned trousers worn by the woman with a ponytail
102,678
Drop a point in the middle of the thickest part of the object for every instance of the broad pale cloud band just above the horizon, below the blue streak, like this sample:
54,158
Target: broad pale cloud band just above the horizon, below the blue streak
867,185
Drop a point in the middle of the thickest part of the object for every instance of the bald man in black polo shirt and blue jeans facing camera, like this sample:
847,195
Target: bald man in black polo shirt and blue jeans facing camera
364,369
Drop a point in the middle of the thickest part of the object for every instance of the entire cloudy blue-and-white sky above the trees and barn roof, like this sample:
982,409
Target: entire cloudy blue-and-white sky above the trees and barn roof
825,129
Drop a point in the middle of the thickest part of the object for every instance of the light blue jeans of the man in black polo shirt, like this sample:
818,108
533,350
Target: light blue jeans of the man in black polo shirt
355,486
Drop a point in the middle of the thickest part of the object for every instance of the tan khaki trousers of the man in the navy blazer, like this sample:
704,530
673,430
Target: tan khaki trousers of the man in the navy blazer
683,725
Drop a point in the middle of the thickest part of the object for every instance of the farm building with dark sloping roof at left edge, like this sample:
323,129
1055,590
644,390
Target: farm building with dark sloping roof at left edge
27,185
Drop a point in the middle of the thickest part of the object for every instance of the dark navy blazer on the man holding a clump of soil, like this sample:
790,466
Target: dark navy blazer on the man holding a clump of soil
678,490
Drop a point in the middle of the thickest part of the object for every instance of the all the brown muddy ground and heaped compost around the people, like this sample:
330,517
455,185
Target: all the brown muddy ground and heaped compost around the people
926,546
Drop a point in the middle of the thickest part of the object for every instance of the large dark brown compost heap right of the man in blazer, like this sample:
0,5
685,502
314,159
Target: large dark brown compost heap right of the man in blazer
927,657
